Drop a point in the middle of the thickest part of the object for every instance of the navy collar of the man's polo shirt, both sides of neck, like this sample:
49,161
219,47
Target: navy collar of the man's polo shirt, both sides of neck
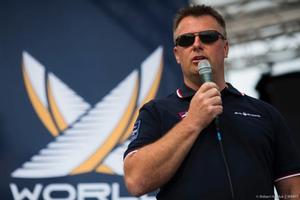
185,92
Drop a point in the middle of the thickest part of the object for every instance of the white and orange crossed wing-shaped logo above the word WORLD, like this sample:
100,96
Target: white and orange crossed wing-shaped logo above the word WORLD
86,138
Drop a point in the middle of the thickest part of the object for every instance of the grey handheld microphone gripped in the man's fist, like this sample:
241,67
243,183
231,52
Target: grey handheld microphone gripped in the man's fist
204,69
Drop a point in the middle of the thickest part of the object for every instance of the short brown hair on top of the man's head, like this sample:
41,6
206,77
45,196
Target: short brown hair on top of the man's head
196,11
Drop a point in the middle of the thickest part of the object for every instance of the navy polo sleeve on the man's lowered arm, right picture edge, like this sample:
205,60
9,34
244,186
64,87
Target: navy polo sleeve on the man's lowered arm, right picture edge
287,155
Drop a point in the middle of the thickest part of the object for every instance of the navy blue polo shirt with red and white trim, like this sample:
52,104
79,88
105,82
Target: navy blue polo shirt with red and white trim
257,143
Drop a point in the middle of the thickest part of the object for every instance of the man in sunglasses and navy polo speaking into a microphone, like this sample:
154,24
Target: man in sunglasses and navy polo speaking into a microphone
175,147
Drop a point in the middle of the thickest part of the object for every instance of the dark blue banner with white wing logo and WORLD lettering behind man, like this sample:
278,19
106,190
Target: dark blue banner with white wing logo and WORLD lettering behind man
73,76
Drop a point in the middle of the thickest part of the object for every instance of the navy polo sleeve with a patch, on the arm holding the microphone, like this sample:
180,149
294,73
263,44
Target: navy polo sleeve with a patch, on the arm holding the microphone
147,128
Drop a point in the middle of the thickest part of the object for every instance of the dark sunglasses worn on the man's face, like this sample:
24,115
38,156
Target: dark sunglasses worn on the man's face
206,37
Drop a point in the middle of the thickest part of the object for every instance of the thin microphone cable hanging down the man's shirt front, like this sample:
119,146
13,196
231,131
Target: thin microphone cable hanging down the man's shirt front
219,136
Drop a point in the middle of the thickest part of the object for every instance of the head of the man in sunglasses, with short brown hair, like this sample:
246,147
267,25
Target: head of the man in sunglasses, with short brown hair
200,33
